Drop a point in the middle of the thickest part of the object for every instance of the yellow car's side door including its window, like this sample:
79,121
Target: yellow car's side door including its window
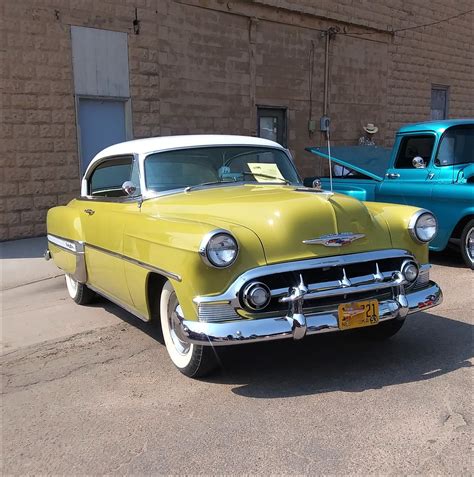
104,214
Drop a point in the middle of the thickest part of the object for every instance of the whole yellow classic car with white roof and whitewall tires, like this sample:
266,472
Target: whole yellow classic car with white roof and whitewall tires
216,239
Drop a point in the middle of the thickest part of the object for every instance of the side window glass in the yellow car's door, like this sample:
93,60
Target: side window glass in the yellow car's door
107,178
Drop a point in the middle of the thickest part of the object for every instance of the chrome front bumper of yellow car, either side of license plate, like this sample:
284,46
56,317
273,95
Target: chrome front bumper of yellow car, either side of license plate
267,329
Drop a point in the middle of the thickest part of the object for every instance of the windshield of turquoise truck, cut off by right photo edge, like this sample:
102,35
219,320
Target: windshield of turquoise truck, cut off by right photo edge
456,146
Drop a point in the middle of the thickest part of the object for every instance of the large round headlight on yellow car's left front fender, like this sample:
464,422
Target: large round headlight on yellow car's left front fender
219,249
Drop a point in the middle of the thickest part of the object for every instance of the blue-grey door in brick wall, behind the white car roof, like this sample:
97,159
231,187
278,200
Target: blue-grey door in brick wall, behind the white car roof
101,124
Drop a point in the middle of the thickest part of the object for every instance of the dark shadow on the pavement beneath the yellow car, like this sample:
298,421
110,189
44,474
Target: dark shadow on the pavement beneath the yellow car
427,346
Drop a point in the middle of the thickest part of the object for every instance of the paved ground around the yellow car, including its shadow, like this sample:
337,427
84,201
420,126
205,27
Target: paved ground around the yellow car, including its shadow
89,390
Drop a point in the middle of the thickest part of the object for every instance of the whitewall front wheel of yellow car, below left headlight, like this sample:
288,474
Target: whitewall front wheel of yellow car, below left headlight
192,360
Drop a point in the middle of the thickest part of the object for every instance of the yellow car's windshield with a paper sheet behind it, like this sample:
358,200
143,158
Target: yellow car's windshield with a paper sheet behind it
210,165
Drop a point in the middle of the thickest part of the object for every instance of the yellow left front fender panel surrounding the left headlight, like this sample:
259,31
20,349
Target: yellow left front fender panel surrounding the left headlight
172,245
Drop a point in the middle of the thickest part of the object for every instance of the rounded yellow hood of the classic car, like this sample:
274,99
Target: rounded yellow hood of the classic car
281,216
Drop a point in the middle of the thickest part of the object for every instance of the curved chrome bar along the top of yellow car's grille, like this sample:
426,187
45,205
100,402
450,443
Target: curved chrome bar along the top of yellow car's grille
232,291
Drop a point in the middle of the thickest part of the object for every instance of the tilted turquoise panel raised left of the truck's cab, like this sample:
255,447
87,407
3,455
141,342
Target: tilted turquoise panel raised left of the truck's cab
371,161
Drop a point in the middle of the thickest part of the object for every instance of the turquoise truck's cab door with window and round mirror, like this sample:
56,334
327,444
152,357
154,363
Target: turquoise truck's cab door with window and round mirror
404,182
